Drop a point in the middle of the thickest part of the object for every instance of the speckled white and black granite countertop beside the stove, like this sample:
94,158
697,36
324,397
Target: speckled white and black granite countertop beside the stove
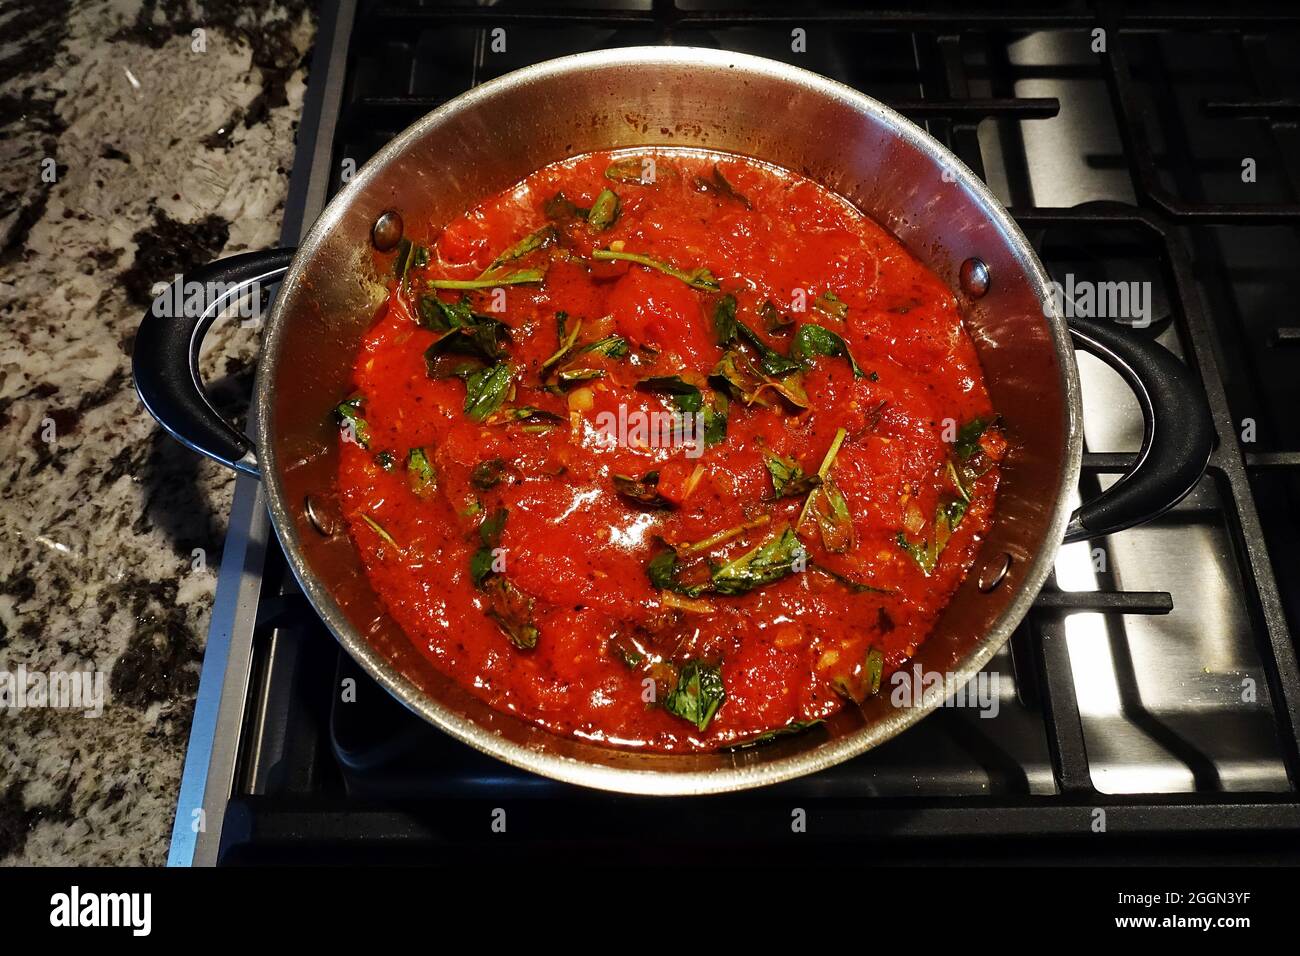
137,139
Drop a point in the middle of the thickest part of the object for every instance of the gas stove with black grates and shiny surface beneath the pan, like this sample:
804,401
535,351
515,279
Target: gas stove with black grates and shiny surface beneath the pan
1155,684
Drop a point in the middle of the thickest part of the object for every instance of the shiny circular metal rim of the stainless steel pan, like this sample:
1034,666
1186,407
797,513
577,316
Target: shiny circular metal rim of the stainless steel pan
655,782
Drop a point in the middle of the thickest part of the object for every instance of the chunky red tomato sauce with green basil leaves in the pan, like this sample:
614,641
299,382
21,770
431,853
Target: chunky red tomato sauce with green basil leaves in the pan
684,607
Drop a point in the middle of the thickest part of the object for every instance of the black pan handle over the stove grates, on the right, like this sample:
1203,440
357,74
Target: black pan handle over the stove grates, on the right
1178,432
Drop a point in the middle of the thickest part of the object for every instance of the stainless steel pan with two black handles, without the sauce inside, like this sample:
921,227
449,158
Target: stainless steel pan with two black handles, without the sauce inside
499,133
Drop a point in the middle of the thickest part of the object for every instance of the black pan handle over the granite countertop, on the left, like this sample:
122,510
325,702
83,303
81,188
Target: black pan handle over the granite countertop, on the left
166,360
